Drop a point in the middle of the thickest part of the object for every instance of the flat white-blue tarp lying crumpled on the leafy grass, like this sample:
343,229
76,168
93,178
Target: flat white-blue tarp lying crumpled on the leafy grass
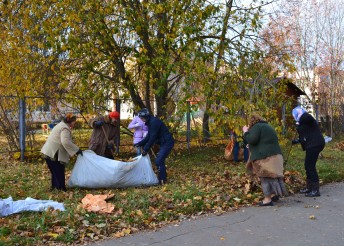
8,206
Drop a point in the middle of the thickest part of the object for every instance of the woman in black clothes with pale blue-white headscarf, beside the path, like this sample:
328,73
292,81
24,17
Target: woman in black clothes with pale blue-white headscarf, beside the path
313,142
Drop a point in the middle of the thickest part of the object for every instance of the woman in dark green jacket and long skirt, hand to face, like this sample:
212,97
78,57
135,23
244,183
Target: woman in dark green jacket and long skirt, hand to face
266,160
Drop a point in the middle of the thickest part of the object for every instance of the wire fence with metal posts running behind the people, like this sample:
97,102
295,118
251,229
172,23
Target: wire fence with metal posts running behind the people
26,123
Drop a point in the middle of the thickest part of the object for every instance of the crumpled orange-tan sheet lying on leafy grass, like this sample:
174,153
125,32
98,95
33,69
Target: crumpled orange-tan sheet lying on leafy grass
97,203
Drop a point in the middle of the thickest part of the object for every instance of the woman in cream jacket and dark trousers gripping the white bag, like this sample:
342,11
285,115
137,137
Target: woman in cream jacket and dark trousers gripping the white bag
58,149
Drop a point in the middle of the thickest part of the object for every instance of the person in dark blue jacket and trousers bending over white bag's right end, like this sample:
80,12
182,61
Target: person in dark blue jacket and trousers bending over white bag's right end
158,133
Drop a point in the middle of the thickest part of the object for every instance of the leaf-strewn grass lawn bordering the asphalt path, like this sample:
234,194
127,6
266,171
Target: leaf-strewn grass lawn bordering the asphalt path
200,181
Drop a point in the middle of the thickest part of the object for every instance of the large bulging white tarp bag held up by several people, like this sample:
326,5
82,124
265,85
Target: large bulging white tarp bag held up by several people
94,171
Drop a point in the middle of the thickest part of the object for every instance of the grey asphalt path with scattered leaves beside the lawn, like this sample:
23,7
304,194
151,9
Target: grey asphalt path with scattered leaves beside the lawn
294,220
